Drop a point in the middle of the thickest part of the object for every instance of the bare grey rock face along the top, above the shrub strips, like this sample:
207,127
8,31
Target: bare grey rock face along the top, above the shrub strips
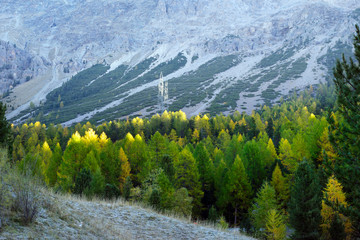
91,30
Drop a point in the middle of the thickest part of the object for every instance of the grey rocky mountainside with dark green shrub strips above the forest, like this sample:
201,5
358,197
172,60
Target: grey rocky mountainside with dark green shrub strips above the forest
218,56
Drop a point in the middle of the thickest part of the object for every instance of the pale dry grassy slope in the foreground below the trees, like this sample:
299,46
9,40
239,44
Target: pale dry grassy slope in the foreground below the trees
66,217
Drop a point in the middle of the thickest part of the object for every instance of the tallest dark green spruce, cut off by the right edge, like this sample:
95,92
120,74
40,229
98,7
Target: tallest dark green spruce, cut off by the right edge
345,136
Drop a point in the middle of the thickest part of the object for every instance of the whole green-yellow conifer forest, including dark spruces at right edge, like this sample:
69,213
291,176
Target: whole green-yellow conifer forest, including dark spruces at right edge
294,165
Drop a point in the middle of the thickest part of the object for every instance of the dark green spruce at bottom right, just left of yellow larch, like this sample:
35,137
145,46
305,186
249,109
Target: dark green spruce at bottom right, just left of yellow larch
305,203
